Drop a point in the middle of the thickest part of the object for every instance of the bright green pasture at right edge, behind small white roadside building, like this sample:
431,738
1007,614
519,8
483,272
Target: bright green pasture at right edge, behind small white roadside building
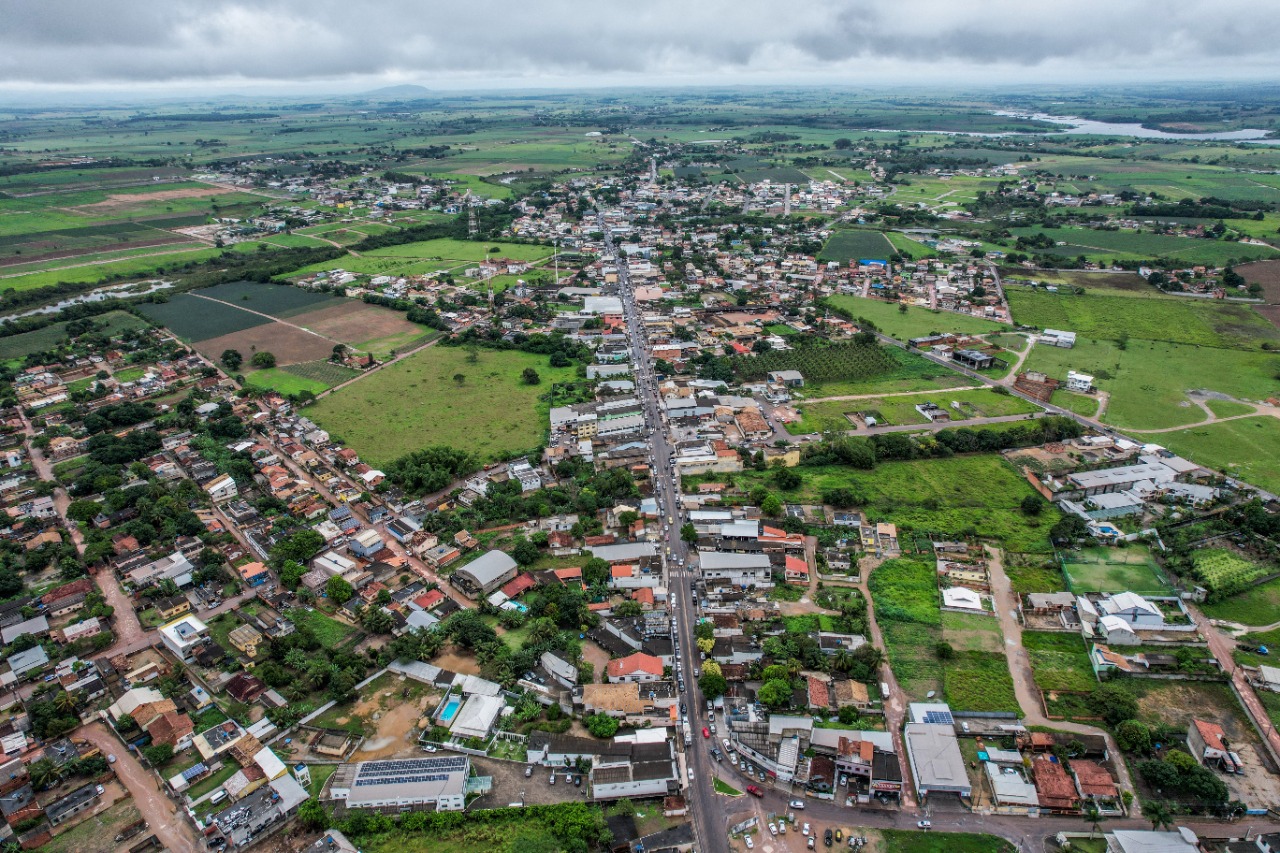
1149,382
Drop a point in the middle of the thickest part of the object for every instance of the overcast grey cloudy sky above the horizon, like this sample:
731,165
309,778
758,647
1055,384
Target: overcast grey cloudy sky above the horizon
348,45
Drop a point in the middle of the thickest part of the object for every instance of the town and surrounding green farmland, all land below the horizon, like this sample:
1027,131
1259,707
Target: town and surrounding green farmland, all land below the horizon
620,475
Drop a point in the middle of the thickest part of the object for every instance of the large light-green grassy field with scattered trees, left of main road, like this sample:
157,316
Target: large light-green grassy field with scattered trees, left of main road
418,403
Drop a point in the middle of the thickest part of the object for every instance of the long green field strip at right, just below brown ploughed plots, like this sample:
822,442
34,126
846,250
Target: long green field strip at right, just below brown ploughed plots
1168,318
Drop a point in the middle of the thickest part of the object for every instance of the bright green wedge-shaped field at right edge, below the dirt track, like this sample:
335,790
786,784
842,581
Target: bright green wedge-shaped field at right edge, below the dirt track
1246,449
